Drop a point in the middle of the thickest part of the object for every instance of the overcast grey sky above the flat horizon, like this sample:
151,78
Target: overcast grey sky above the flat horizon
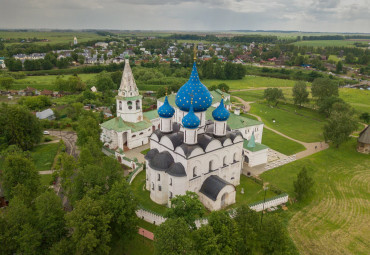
302,15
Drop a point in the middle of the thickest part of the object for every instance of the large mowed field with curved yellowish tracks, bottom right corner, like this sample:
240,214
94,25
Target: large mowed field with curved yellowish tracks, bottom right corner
335,219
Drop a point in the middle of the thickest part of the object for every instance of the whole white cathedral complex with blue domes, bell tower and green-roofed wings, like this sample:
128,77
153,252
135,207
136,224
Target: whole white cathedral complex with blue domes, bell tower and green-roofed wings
196,143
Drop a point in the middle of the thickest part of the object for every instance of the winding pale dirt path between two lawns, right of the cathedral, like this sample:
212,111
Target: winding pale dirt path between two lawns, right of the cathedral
311,148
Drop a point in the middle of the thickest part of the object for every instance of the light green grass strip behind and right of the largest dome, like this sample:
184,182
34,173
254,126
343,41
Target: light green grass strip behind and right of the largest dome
251,81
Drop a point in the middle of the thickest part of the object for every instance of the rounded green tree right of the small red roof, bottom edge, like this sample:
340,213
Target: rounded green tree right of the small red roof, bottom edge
172,237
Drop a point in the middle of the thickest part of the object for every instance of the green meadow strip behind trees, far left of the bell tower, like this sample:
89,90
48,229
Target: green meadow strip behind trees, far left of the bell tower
44,81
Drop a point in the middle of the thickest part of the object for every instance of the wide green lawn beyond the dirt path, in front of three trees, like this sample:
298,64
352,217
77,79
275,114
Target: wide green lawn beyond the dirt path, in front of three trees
299,123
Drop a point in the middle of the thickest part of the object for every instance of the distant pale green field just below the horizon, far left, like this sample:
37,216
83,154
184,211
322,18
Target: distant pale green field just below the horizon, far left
53,37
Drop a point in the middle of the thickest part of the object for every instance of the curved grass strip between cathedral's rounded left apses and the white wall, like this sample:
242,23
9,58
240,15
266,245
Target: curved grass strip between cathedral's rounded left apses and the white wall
138,186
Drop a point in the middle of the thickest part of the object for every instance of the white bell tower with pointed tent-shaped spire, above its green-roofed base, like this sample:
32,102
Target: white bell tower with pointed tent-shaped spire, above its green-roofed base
129,101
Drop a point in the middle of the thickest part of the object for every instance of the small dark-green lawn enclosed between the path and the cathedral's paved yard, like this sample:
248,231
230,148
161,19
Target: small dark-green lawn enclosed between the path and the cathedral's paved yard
280,143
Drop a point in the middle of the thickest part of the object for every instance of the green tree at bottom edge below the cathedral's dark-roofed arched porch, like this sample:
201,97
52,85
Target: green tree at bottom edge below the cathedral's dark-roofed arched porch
225,230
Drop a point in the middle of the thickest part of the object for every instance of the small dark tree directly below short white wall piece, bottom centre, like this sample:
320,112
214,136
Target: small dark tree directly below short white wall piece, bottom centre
205,241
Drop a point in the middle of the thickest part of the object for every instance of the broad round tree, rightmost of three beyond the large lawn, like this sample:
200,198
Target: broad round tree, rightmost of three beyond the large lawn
324,88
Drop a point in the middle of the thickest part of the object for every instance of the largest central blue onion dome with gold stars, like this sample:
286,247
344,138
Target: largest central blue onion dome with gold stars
202,98
